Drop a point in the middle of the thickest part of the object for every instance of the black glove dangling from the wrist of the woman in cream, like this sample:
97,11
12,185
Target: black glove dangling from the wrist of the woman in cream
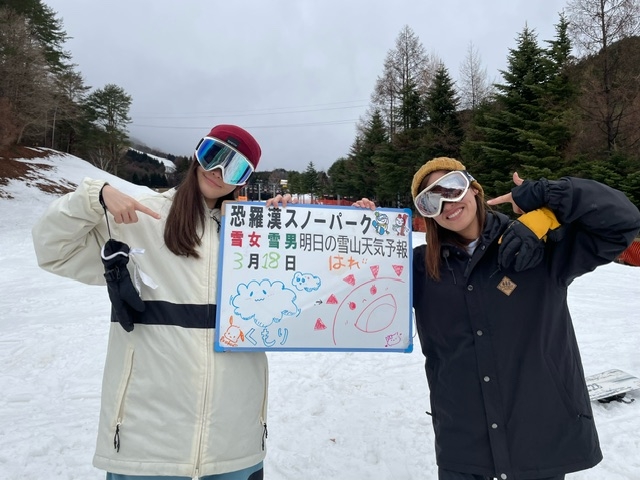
125,300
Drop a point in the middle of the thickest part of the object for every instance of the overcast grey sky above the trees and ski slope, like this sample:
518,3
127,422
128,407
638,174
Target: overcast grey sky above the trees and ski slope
297,74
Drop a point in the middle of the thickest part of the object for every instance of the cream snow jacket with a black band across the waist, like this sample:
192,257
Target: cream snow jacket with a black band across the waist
174,405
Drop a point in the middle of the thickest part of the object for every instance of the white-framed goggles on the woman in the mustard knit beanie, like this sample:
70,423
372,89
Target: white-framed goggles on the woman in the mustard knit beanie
451,187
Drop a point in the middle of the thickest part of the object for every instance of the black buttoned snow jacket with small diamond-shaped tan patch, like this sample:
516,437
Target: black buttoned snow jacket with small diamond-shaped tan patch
507,387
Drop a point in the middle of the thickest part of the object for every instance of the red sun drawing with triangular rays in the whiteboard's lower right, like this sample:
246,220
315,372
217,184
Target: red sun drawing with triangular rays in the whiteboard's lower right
369,309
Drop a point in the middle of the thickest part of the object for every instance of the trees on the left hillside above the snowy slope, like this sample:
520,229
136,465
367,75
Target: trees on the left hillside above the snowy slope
44,100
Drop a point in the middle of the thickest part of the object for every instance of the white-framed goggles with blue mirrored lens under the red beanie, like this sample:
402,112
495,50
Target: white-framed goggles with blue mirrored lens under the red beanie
213,153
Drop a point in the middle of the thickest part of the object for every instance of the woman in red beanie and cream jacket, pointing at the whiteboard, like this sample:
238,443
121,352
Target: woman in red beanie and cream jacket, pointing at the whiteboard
171,408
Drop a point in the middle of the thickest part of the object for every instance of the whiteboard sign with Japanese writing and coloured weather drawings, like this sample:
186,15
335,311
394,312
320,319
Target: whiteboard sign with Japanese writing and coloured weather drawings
312,277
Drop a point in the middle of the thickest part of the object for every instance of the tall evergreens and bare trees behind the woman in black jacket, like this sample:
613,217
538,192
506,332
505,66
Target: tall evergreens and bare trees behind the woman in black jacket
568,107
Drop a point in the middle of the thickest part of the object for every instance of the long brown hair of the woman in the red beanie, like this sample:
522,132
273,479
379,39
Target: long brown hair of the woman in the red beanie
185,222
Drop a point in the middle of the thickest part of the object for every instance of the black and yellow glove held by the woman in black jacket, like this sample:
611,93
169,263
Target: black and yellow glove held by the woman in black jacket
522,244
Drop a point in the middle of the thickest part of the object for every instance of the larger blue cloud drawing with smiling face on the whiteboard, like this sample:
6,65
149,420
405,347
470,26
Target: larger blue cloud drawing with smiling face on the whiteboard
264,302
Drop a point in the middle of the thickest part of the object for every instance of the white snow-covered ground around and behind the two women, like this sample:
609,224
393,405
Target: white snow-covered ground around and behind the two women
341,416
